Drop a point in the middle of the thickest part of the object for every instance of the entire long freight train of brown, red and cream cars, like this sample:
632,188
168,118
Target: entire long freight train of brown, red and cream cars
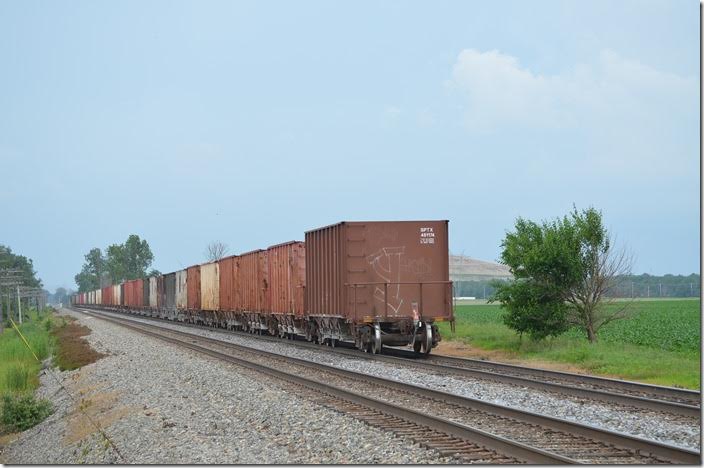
380,283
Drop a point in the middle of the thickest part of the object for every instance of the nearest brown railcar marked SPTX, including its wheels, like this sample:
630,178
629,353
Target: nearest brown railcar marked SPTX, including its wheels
378,283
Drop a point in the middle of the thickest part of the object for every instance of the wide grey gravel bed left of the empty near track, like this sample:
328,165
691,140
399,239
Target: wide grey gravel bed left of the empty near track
160,404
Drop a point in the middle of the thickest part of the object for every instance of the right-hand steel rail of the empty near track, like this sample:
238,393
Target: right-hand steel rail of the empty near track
620,440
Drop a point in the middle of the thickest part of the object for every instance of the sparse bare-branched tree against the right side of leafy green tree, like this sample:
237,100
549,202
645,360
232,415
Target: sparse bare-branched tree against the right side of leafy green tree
592,304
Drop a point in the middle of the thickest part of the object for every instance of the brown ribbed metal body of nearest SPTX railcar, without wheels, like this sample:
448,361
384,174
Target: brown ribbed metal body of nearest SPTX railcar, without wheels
381,270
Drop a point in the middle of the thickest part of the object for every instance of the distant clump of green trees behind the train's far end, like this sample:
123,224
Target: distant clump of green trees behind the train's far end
118,263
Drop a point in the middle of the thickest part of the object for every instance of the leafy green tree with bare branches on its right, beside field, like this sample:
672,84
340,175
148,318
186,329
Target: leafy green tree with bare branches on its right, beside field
564,270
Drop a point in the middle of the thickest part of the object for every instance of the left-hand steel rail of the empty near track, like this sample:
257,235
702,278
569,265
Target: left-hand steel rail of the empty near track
474,436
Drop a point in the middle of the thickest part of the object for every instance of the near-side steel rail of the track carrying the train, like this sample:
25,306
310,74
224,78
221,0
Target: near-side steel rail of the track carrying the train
575,391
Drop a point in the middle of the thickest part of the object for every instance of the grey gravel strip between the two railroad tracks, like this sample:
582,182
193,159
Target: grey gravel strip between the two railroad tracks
660,427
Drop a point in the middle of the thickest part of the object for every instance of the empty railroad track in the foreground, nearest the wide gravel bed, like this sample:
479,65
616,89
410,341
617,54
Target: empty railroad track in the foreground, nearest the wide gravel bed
509,434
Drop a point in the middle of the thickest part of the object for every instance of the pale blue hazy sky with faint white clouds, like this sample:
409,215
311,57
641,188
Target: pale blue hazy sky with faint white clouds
252,122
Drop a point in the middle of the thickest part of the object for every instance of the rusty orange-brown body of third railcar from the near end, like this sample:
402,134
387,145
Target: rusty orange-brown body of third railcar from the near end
252,282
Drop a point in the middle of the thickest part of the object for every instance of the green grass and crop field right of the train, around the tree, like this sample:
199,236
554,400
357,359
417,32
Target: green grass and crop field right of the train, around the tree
659,343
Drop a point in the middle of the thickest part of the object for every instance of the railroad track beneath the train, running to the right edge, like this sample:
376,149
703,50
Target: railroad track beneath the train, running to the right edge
680,402
